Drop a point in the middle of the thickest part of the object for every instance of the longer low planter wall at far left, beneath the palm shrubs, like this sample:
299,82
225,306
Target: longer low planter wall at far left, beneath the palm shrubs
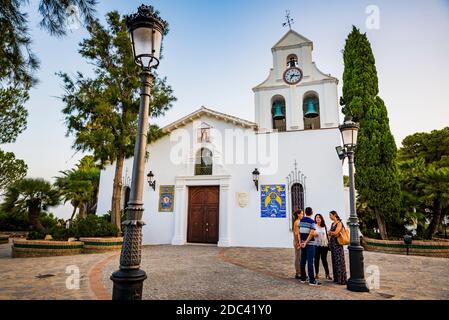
40,248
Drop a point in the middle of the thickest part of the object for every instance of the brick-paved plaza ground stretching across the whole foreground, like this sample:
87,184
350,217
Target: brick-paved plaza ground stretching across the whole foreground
209,272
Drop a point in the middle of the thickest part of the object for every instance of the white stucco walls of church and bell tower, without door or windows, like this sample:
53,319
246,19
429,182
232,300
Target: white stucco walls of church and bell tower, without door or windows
313,150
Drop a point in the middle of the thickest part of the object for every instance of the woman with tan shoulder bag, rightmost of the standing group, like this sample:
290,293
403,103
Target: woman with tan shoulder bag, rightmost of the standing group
337,252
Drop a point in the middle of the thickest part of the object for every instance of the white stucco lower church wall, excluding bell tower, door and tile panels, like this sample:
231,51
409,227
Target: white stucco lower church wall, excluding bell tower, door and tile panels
313,150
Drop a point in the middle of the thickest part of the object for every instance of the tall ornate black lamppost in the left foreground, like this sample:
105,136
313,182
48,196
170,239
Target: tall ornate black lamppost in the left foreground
146,30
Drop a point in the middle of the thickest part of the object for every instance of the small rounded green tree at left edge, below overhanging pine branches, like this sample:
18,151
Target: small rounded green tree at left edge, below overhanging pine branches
11,169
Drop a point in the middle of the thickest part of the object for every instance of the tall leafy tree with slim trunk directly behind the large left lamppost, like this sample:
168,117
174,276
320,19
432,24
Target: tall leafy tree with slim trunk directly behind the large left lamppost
101,112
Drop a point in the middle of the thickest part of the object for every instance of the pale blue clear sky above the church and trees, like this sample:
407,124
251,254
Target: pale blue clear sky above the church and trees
217,51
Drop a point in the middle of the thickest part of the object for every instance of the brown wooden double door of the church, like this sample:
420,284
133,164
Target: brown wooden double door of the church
202,226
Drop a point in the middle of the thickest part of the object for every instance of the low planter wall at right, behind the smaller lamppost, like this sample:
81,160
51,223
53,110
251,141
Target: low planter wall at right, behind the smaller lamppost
418,247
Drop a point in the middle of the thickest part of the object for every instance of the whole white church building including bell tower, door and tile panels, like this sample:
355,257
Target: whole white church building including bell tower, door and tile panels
206,187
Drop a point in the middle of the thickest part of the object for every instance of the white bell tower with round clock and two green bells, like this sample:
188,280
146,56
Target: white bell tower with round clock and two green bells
296,95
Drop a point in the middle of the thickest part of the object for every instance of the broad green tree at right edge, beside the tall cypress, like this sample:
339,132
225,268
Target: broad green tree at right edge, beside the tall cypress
424,165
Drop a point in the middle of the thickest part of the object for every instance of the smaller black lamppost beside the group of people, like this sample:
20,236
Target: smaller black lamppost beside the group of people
356,282
